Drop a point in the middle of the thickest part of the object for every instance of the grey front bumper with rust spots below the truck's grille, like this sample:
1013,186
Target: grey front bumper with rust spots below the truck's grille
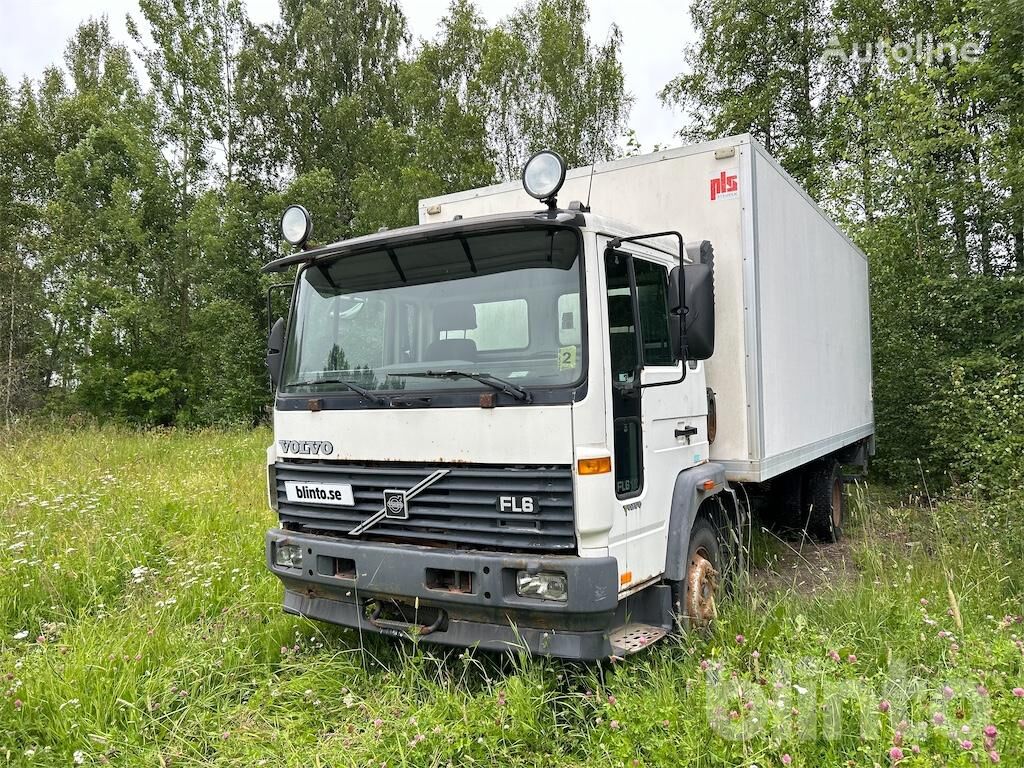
339,582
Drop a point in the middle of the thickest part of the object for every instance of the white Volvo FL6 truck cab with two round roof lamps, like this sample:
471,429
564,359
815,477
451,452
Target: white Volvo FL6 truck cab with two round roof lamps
494,432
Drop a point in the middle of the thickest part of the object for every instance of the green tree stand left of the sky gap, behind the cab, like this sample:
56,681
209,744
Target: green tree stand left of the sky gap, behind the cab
134,221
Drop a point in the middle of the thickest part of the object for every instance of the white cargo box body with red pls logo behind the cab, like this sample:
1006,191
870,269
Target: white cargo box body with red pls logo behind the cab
792,370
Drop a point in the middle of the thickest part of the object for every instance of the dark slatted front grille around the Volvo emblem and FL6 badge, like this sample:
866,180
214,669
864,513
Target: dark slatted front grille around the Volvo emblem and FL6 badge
459,510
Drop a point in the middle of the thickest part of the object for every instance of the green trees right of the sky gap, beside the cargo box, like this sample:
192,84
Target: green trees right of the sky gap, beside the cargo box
922,160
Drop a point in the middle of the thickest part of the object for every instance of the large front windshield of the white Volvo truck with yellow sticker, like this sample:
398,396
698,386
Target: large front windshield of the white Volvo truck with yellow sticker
504,306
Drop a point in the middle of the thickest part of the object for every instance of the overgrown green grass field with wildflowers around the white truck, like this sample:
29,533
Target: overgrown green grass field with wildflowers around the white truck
140,627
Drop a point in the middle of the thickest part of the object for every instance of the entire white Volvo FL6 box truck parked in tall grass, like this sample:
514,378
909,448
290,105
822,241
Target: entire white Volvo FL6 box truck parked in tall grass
525,425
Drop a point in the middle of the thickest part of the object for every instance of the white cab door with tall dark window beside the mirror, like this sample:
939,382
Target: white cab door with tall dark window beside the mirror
657,425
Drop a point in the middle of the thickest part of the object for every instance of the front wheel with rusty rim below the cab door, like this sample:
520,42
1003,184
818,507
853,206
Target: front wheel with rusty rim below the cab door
694,599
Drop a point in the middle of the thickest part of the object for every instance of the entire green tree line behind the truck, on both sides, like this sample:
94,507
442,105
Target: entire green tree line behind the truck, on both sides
134,221
